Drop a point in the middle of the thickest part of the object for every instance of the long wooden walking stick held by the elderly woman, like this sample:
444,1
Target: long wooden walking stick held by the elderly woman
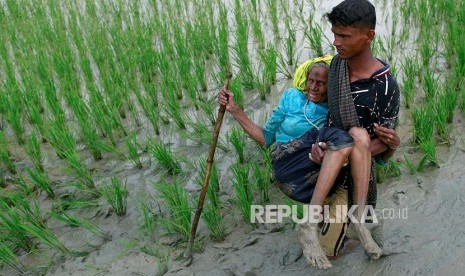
208,169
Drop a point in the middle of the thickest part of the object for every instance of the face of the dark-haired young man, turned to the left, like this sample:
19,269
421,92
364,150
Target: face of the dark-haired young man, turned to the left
350,41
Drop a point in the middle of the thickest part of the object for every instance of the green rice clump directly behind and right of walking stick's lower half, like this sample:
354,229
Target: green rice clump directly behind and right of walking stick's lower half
212,209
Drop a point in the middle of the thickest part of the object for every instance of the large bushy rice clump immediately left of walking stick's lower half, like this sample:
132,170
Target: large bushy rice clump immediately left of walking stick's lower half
176,198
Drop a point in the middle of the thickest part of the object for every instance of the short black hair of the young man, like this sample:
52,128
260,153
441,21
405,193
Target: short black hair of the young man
354,13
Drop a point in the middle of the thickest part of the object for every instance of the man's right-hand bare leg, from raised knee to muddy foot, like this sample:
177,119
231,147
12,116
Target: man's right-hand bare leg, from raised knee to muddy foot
360,160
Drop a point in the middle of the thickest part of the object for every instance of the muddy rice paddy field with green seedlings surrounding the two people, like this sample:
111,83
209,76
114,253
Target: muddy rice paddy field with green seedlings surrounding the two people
107,110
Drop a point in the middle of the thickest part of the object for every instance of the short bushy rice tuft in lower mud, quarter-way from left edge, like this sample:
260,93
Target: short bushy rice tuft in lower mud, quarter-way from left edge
116,195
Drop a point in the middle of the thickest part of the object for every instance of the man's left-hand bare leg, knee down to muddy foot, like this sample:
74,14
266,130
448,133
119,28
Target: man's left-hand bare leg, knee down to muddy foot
330,167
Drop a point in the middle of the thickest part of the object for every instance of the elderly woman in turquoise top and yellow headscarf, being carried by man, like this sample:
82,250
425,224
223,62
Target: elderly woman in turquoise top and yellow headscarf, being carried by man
295,125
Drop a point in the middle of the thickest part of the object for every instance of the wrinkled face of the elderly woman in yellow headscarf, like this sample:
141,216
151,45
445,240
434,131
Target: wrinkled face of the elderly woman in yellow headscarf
317,85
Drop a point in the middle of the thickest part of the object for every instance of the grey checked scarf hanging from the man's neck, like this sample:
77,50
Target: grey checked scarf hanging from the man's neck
340,101
